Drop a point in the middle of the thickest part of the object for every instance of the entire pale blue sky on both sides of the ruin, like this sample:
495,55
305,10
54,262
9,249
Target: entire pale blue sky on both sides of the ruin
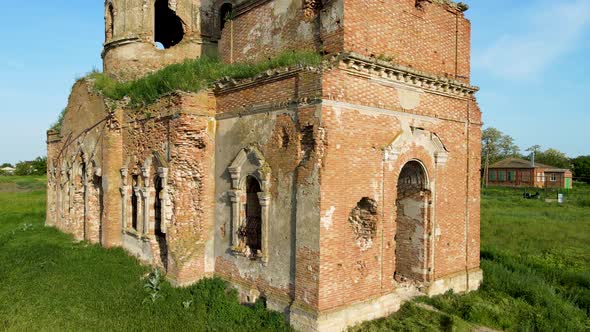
530,58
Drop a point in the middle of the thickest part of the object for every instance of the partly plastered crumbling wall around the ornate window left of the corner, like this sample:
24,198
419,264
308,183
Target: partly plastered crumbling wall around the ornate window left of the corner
281,124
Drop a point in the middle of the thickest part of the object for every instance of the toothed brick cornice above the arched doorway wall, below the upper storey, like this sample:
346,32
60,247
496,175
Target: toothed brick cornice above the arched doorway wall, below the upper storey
371,67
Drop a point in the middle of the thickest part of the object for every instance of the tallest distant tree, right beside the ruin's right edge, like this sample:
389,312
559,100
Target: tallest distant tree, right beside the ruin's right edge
496,146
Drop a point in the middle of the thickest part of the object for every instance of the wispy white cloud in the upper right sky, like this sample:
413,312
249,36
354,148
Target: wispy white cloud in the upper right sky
551,30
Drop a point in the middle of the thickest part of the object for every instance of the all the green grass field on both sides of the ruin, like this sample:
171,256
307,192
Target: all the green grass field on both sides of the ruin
535,256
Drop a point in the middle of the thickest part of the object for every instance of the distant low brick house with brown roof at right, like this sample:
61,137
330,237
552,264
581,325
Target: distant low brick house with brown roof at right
514,172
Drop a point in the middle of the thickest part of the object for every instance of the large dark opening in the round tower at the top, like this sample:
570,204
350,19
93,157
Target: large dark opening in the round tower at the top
169,29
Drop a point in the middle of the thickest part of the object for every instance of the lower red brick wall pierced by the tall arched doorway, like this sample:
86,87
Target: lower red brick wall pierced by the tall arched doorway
353,168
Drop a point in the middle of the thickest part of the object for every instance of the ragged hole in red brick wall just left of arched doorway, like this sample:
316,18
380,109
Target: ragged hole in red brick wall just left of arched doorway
363,219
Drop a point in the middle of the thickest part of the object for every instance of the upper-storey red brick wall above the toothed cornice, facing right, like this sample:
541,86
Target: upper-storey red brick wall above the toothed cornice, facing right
423,38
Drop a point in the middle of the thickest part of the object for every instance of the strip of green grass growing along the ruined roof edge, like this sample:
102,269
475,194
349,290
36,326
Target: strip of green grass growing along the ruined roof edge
193,76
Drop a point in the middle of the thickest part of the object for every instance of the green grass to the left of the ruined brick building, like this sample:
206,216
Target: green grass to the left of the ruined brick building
50,282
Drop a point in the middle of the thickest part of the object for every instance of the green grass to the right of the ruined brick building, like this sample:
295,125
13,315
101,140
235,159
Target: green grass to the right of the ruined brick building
536,263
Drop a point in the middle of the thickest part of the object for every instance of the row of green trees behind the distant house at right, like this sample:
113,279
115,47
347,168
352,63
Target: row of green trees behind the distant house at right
495,146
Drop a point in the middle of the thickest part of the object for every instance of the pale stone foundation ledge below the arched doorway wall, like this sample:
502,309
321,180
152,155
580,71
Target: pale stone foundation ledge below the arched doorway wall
342,318
